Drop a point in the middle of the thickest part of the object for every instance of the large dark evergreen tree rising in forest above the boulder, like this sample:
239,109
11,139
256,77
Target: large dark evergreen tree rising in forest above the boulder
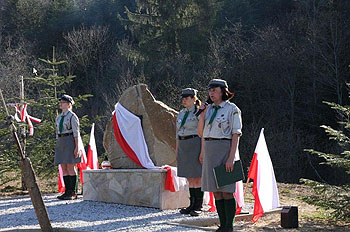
165,30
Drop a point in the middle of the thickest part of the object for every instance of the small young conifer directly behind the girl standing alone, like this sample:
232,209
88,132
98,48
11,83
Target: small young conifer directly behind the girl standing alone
51,85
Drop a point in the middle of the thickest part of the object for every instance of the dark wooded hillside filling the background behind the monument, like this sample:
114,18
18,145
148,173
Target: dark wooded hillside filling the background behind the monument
281,58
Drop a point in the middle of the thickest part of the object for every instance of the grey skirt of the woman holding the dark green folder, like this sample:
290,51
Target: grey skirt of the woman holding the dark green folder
216,153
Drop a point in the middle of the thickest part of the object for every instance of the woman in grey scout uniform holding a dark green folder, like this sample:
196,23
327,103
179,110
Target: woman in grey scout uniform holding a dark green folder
220,126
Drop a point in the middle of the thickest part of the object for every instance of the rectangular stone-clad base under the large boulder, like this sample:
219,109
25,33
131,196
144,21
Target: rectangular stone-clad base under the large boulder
139,187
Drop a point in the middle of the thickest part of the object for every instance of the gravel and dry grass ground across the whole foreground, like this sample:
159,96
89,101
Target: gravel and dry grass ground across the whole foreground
17,214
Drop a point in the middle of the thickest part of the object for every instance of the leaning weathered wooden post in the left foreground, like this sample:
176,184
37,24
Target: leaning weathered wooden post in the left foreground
29,178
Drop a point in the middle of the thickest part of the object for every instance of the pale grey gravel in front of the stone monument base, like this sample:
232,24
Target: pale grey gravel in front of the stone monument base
18,214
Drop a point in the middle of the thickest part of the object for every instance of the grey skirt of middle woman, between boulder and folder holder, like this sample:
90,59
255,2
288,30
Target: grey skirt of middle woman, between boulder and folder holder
188,164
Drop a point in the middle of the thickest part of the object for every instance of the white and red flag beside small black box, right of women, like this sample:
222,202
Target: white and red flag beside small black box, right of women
261,171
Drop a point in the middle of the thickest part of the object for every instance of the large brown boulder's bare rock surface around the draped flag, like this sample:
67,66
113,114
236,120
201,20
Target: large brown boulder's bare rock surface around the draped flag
158,123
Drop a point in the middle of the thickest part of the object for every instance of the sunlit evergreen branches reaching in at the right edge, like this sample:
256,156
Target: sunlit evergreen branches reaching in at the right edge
335,198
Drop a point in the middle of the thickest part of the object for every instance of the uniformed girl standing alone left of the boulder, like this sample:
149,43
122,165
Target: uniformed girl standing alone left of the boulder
67,153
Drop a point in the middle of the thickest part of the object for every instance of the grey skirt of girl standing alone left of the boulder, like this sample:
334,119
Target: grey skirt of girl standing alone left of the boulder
65,150
